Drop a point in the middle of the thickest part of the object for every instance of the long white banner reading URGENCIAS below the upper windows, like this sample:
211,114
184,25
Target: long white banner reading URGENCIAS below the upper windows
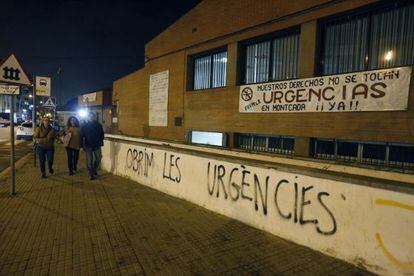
377,90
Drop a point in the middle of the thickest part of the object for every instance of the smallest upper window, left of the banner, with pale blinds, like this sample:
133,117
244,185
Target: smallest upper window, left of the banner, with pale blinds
210,71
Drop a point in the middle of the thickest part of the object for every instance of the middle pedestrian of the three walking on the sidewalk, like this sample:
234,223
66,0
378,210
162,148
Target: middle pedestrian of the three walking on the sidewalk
71,142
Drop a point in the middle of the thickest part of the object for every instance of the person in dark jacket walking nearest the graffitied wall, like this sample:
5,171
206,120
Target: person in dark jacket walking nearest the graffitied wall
91,140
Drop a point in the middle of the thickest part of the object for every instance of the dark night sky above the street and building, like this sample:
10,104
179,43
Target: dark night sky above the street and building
94,42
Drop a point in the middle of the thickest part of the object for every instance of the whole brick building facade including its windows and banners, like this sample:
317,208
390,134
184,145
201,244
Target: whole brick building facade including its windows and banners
322,79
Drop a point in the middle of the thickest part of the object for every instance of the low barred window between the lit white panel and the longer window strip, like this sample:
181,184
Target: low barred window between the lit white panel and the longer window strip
269,143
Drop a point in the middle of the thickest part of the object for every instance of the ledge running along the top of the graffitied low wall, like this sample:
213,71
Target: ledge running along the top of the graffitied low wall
390,180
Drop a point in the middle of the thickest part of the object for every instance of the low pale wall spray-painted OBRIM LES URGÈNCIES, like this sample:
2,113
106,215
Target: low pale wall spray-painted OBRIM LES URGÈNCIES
364,225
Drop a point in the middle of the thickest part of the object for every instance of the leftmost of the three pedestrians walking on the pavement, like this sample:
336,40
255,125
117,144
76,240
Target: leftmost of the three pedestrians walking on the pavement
45,145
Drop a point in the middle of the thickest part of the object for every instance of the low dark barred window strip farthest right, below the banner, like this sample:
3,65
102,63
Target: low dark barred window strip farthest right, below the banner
375,153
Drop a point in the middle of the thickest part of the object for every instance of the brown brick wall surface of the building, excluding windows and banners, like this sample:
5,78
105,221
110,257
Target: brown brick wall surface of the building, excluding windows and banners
217,109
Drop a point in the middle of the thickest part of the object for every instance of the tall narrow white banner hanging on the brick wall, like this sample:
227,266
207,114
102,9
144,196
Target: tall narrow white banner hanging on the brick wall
158,99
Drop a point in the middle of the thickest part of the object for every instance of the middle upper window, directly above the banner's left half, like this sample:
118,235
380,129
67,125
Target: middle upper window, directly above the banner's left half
272,60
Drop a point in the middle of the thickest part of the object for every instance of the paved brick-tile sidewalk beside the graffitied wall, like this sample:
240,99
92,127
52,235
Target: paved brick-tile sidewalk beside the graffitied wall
70,225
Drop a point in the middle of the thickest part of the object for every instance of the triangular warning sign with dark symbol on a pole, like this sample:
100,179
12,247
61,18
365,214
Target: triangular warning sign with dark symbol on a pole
12,72
